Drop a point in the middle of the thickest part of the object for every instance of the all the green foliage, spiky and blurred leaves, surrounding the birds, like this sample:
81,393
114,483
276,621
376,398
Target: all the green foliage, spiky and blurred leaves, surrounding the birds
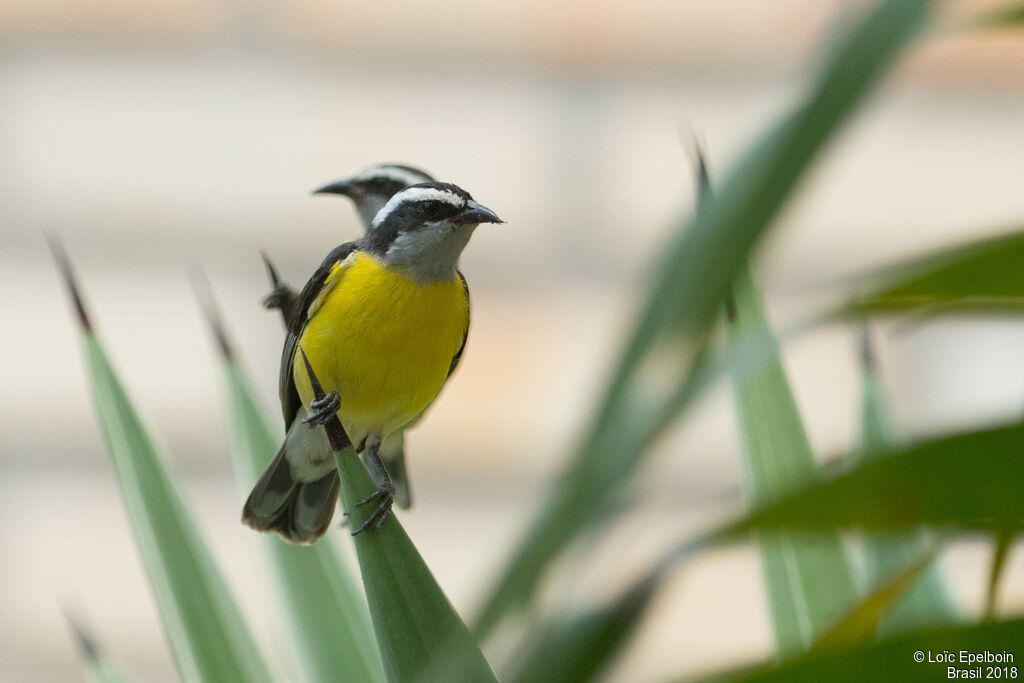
826,628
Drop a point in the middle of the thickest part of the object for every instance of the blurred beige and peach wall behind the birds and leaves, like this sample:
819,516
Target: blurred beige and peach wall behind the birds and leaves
159,138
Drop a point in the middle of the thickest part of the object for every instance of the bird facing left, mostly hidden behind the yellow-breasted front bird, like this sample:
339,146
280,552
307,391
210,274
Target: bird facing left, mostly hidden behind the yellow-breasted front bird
370,191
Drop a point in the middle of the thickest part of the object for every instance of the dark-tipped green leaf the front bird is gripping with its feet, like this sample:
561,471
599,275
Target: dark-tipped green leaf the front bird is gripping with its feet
420,635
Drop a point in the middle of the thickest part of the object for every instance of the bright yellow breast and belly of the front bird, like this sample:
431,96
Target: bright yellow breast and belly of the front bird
383,341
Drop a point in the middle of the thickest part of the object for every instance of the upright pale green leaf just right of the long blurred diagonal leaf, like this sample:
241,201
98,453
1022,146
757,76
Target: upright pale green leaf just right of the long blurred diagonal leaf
809,582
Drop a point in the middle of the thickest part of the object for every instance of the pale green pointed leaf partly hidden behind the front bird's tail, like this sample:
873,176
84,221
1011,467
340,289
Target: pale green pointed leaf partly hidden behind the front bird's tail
331,632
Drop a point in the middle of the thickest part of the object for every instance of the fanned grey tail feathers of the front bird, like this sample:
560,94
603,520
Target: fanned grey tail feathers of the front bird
300,511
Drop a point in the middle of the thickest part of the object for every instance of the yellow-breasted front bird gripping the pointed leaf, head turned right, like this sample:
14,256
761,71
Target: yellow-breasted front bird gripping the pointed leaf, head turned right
382,322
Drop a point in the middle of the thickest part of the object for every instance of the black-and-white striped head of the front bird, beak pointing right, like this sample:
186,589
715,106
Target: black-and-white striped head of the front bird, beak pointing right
424,229
